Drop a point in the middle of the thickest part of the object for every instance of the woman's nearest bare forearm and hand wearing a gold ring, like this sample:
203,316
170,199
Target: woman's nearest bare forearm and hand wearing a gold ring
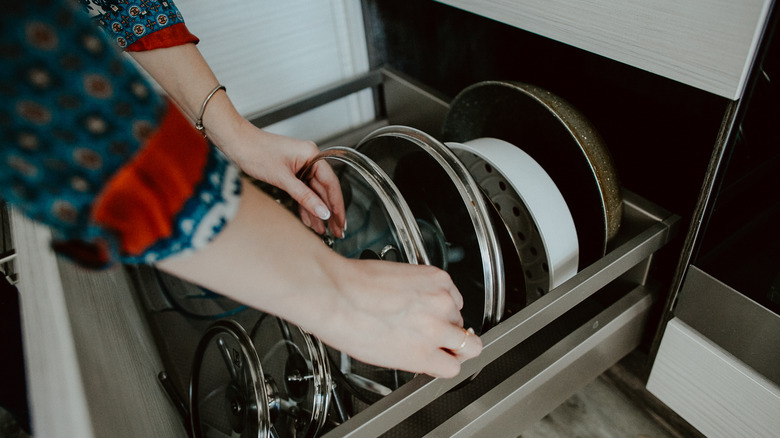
388,314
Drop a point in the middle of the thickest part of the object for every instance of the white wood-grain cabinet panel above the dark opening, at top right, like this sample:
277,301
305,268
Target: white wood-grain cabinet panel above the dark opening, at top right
708,44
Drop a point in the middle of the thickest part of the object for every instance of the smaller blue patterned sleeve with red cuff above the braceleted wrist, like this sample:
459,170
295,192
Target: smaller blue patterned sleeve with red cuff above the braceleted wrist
138,25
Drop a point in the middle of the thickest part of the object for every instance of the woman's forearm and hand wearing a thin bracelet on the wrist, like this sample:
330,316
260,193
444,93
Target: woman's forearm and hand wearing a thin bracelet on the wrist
187,78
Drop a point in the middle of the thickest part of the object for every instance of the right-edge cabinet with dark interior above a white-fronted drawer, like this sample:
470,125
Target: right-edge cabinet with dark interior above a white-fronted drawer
717,359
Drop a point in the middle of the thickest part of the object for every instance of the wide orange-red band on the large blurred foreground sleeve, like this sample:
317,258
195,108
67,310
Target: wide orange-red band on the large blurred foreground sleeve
141,200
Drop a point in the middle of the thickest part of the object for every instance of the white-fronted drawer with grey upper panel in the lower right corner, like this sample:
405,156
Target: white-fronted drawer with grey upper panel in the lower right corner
717,362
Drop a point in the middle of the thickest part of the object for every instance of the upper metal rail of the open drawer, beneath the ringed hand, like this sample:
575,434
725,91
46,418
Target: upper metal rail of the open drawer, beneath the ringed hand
410,398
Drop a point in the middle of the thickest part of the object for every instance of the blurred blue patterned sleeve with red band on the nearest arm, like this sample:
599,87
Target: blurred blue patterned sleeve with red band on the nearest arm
91,150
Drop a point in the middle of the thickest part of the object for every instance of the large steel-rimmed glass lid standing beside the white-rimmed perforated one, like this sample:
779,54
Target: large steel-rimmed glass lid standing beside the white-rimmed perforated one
451,212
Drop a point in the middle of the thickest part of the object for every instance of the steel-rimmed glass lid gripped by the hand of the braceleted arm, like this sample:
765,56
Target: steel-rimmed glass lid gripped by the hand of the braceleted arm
380,224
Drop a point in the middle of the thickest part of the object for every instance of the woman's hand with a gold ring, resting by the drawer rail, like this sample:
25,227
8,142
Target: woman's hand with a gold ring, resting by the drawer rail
399,316
